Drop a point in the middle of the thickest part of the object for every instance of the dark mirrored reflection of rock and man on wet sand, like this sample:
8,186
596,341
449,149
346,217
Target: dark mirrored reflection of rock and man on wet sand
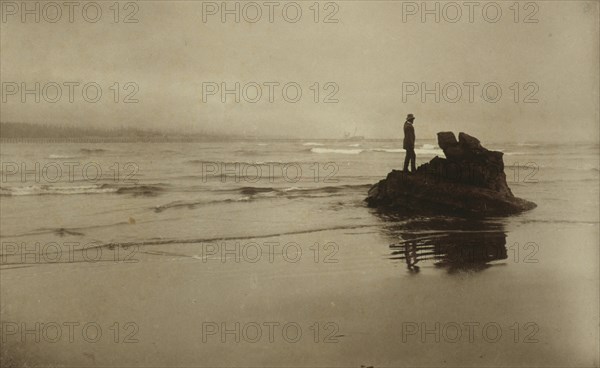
450,243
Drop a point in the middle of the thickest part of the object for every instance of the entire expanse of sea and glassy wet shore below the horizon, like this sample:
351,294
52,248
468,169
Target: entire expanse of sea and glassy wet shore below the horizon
170,205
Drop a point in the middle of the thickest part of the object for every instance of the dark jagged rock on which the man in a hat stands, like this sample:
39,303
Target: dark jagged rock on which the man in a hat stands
470,180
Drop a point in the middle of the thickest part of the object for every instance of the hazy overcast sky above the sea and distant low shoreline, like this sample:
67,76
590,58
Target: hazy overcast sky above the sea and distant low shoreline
370,56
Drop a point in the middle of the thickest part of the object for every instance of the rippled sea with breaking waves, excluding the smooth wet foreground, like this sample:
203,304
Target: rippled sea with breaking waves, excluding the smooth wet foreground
166,187
